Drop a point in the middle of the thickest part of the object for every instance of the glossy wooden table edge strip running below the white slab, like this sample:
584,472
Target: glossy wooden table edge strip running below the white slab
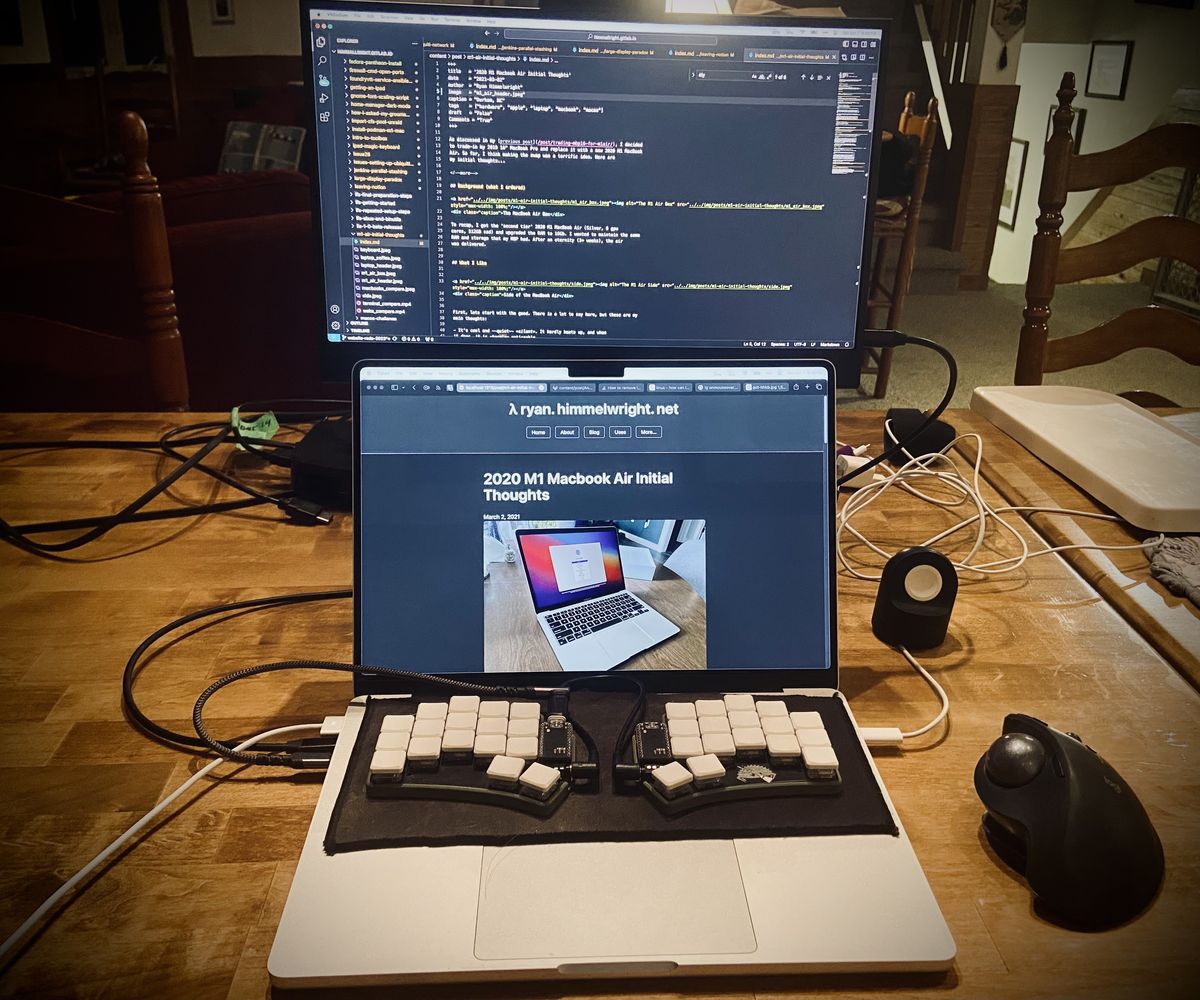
1171,624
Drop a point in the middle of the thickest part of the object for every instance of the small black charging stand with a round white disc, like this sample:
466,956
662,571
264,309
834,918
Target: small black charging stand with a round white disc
916,597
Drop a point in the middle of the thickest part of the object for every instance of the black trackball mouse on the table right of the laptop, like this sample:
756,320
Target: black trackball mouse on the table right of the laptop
1061,817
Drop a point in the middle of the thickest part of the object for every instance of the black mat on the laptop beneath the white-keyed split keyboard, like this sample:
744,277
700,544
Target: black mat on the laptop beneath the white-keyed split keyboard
359,823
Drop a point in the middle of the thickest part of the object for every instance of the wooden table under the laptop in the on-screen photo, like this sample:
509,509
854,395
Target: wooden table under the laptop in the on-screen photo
512,634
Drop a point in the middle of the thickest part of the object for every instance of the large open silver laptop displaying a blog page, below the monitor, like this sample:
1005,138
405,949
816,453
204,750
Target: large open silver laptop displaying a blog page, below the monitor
453,462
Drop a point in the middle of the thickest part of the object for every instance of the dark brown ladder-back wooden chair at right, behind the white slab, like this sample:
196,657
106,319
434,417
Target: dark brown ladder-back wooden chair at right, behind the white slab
1168,146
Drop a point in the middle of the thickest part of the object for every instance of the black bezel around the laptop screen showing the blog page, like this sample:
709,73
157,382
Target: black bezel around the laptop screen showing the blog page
741,680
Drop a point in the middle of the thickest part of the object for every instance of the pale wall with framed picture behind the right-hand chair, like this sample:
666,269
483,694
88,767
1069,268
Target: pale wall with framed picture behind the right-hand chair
1059,38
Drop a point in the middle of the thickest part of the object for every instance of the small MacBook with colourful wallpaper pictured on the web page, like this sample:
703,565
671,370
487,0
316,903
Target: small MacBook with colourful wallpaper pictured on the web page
590,619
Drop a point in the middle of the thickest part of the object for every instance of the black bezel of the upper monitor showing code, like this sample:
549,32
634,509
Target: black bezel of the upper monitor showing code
339,360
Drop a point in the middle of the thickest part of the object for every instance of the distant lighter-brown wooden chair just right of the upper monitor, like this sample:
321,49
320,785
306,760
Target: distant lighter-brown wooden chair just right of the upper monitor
890,297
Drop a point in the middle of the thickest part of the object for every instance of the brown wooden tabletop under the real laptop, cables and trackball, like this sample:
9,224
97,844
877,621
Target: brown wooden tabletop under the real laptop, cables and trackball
191,911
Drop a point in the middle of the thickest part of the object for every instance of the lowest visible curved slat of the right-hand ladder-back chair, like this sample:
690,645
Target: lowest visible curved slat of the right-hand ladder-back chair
1145,327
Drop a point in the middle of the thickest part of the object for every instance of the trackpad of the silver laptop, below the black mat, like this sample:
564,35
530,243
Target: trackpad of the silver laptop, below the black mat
622,901
